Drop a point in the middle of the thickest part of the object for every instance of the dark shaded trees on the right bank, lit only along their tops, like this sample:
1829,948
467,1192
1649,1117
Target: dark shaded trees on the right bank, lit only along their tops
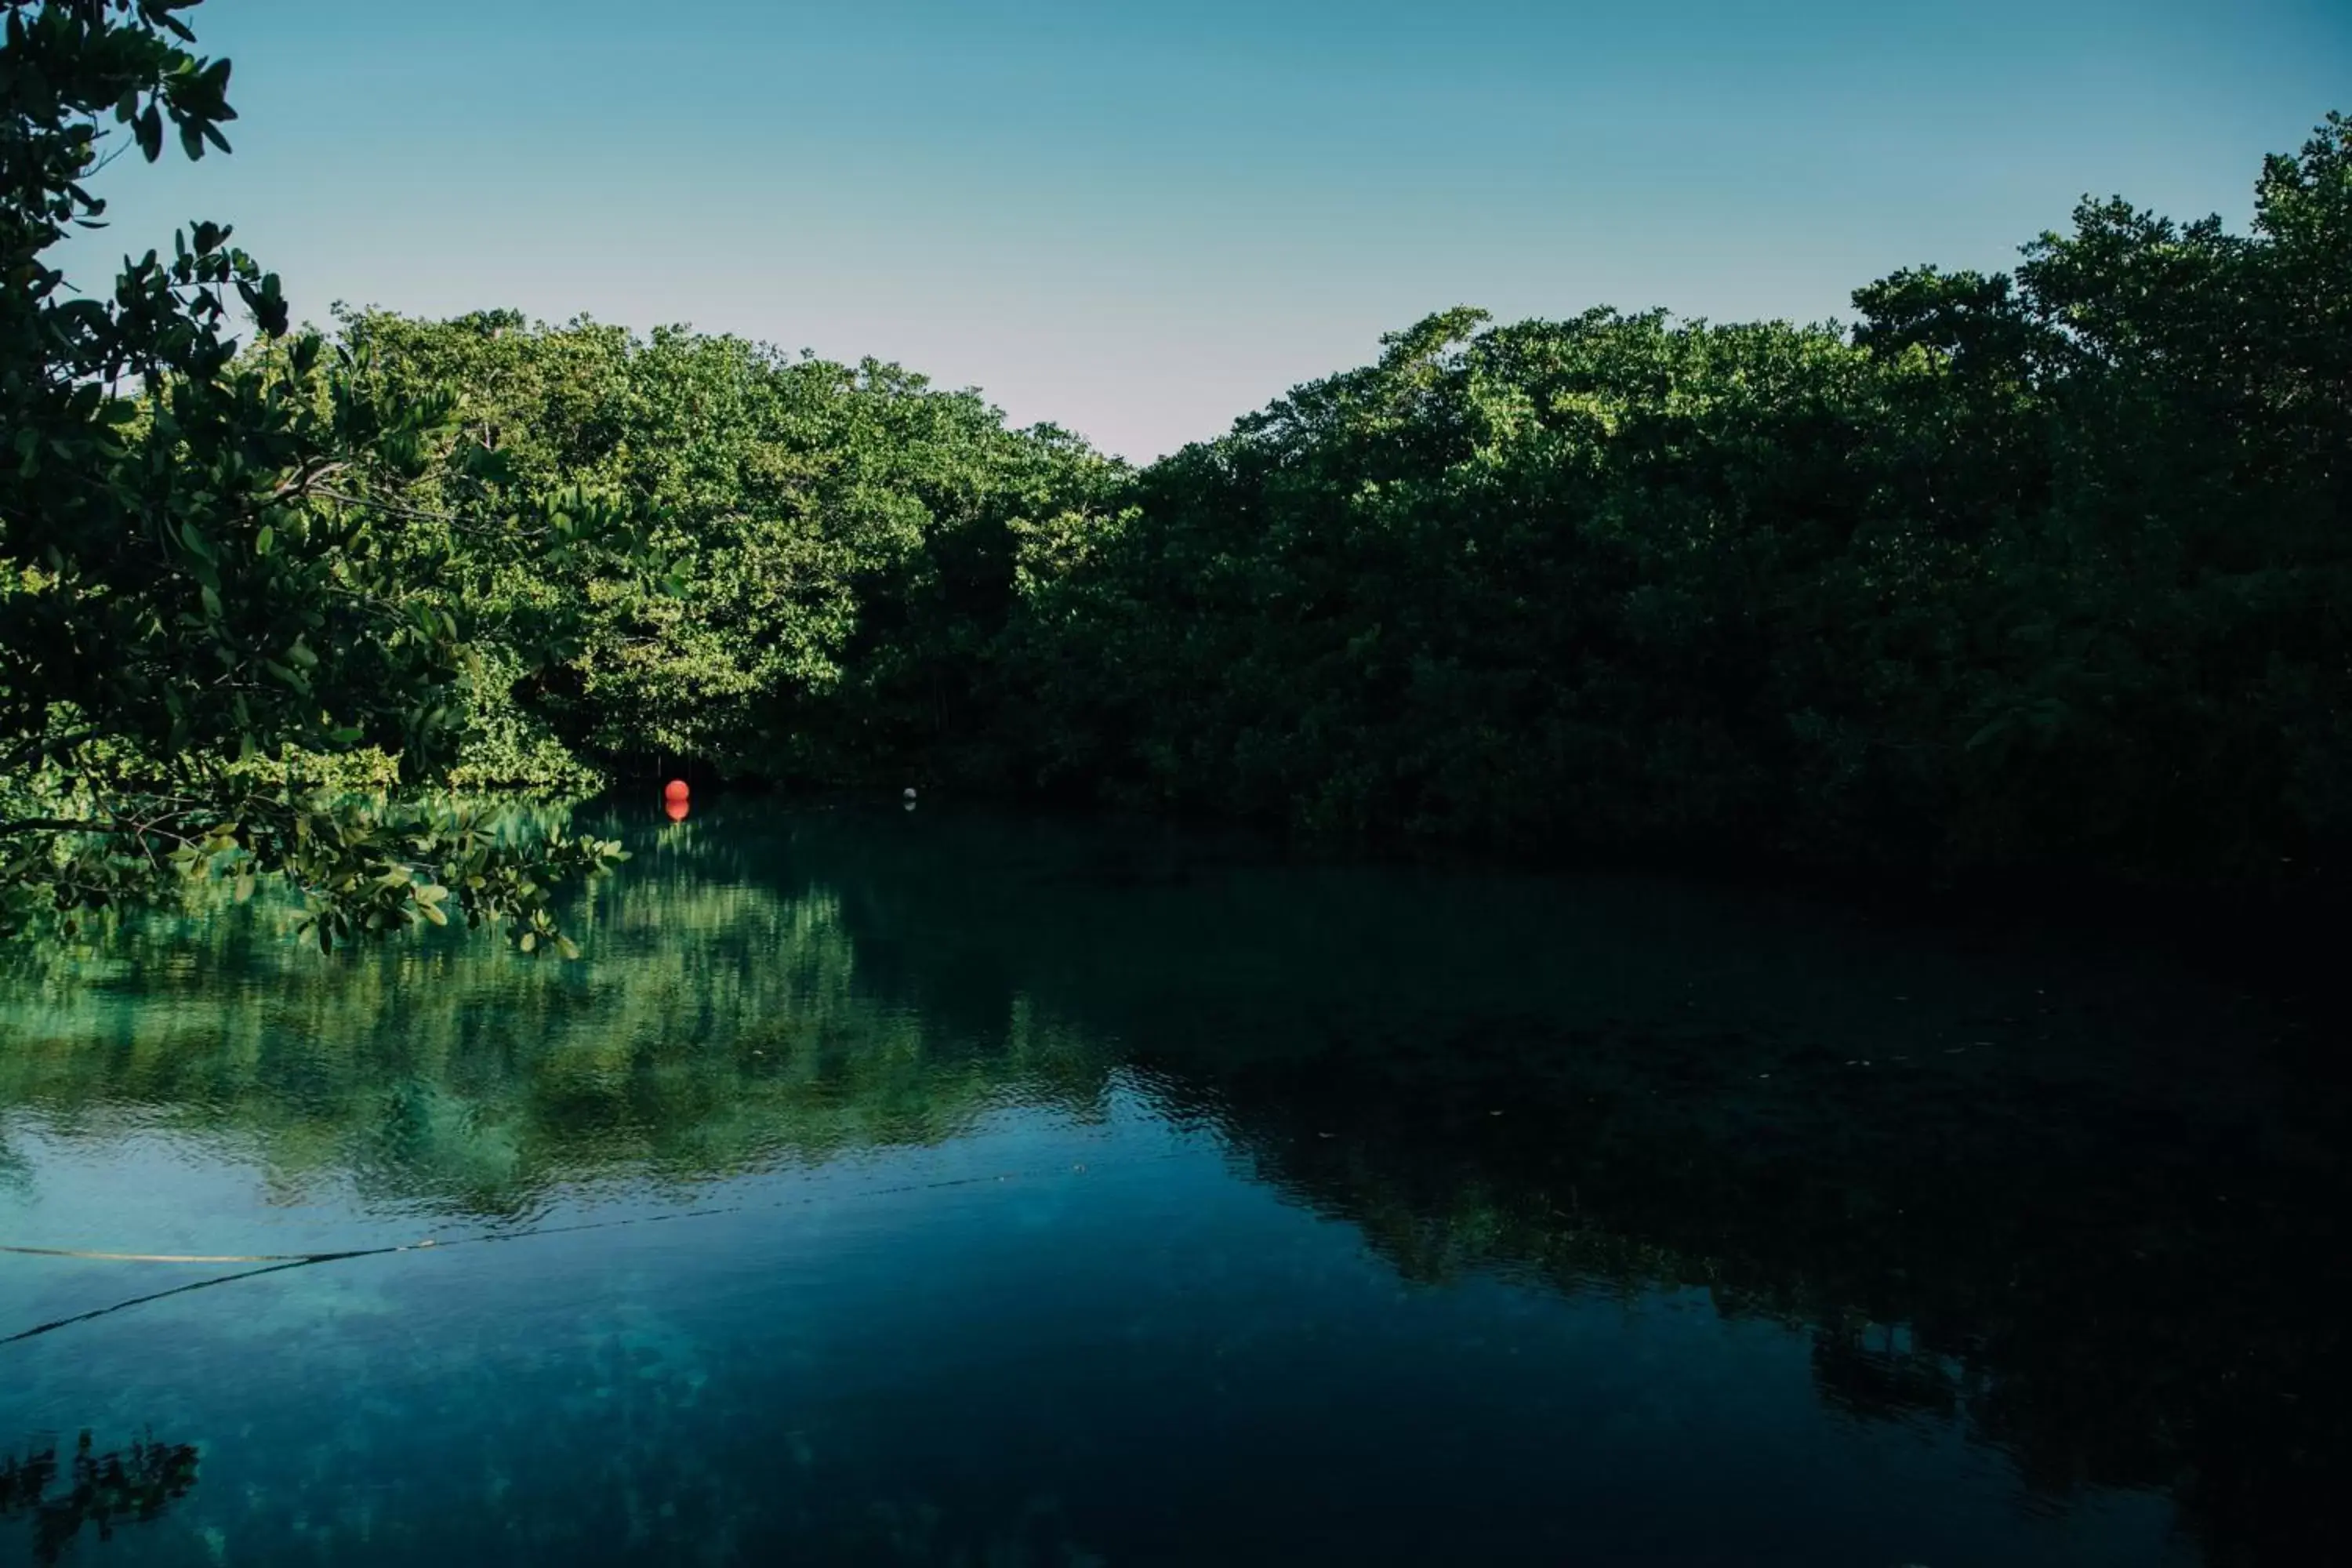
2033,570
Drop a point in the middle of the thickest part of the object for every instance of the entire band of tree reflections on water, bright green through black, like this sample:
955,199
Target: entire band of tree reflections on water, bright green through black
2069,1200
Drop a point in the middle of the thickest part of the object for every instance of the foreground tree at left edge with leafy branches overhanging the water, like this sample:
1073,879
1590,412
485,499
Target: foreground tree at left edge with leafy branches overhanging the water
211,570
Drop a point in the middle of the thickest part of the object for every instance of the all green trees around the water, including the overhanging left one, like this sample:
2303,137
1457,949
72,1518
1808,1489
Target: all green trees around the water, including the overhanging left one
2026,579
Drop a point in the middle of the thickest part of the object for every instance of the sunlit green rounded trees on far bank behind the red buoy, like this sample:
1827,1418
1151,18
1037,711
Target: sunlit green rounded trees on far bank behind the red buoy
841,547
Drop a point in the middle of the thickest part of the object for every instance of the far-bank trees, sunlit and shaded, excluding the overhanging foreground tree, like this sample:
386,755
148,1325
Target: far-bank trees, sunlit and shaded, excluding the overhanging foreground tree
2024,572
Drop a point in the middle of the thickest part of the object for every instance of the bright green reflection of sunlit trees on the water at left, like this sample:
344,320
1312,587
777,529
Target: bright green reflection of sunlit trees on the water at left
721,1028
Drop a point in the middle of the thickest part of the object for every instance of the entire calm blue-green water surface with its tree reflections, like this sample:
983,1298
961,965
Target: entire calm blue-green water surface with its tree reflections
949,1191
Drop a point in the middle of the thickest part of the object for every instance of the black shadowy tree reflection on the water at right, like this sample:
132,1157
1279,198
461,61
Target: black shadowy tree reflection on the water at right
2087,1205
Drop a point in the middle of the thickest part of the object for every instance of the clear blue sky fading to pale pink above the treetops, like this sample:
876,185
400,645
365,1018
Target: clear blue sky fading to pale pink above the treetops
1147,220
